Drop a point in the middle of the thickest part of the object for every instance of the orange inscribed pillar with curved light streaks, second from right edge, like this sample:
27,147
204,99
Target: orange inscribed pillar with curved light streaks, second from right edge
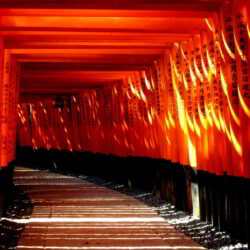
230,84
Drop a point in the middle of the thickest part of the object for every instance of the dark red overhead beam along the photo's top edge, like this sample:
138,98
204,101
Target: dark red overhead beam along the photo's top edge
209,5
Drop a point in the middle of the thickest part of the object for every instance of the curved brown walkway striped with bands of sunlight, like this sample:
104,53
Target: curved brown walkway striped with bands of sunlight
70,213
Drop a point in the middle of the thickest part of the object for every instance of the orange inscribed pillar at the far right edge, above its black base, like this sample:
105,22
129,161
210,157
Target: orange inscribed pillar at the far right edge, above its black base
242,43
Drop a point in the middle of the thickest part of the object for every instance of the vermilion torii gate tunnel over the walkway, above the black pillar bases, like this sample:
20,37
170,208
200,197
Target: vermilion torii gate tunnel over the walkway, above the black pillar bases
156,79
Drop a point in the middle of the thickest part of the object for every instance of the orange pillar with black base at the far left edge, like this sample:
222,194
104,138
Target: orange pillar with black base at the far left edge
8,97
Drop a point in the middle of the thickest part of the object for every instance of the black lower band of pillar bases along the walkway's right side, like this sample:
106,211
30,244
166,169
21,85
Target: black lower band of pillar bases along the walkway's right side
222,201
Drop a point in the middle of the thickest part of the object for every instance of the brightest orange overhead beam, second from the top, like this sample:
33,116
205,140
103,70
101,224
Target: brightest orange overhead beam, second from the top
103,24
